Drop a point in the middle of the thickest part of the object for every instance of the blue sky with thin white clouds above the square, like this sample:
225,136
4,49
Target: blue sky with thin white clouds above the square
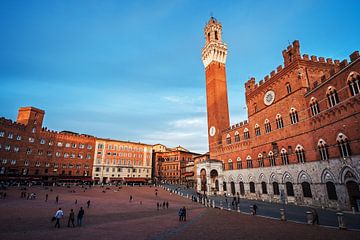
132,70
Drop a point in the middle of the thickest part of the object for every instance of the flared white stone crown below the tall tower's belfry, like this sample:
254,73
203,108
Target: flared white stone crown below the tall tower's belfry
214,51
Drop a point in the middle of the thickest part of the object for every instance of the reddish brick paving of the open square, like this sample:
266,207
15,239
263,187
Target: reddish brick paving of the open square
112,216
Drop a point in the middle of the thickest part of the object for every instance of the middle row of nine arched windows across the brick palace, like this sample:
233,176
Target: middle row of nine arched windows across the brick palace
342,142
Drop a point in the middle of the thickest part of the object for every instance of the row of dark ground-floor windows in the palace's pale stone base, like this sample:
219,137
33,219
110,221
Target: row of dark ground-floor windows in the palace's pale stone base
306,189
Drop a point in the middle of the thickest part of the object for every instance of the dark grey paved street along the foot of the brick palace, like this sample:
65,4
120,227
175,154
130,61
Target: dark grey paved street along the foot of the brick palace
291,213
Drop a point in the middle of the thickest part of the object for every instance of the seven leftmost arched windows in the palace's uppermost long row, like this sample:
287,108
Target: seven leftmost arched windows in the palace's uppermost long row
294,118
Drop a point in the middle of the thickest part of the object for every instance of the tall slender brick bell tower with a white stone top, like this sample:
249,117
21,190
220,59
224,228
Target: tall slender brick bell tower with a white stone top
214,56
